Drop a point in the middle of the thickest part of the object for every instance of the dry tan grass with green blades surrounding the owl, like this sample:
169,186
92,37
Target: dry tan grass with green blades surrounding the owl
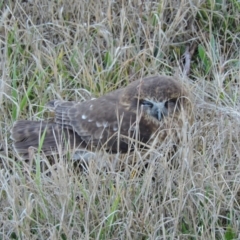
69,49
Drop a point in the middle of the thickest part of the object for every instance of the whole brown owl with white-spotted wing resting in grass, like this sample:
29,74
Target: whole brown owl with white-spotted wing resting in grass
113,121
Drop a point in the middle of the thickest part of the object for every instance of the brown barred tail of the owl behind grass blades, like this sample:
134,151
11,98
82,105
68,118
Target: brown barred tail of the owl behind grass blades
47,137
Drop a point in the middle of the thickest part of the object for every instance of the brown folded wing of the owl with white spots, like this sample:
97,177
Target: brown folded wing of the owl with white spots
96,121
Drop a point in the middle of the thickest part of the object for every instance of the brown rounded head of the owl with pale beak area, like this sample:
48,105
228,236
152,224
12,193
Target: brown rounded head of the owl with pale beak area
157,98
